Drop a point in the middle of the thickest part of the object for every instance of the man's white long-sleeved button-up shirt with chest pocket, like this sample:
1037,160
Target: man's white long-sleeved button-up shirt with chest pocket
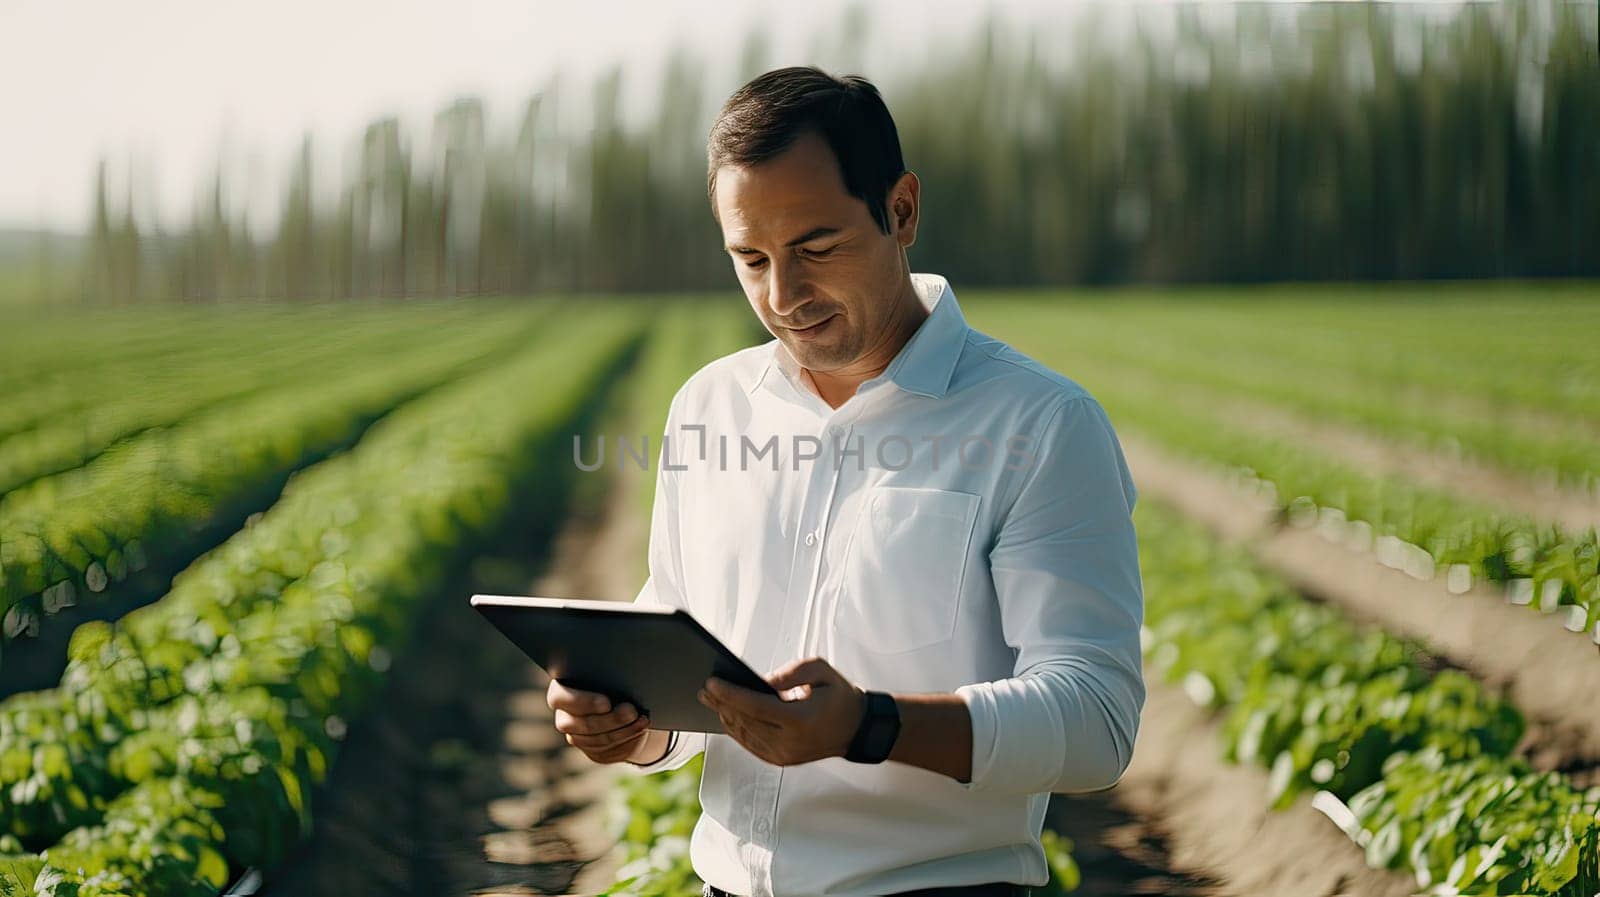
959,525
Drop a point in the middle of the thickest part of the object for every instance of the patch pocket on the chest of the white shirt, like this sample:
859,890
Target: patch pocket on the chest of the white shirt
903,570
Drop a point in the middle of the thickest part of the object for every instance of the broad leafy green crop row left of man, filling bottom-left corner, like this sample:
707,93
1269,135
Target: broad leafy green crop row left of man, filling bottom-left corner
242,682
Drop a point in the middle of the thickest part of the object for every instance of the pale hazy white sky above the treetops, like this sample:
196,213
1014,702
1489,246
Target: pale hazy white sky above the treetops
172,87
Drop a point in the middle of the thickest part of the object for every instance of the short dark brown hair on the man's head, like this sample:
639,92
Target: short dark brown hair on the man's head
767,116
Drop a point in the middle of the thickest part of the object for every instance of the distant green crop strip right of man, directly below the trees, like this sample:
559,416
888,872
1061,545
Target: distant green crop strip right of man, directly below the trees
1457,359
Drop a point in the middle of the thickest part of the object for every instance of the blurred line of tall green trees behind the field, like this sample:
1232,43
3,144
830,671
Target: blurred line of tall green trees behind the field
1198,145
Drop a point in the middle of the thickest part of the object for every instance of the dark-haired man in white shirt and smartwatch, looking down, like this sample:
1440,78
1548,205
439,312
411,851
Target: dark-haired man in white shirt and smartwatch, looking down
954,629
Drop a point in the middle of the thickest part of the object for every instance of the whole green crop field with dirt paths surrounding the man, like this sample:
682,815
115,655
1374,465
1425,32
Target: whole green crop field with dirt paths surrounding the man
236,546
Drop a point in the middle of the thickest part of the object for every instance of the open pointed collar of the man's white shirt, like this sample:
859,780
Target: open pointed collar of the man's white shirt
924,365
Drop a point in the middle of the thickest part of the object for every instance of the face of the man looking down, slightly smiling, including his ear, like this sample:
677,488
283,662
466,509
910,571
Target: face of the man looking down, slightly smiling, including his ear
809,255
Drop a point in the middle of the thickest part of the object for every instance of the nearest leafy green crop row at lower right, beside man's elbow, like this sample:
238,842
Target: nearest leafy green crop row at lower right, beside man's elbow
1364,719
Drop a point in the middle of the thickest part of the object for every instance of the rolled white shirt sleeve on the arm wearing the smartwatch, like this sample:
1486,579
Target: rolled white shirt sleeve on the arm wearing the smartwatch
1066,575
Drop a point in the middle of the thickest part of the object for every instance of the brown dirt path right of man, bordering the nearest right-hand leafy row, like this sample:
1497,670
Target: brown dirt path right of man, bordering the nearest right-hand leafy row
1548,672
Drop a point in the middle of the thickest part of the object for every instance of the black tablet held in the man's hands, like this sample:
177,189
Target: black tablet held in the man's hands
652,658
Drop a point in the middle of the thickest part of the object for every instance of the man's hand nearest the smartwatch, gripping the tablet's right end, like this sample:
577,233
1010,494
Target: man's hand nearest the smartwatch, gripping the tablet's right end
814,717
